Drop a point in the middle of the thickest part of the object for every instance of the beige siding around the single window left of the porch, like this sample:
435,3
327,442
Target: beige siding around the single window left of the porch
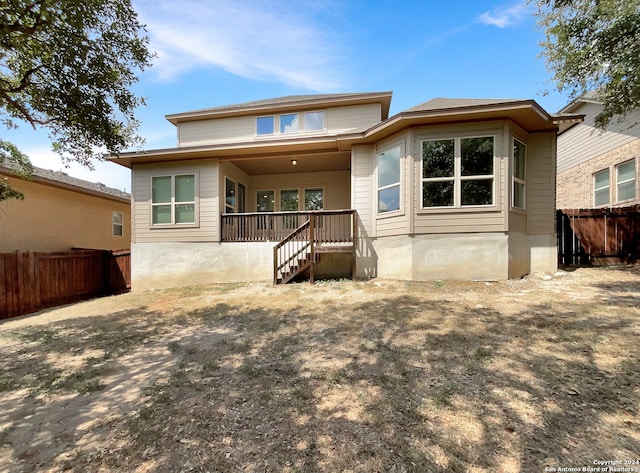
207,202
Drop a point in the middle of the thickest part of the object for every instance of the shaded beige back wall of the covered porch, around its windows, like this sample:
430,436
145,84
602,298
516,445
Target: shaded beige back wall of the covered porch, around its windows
336,187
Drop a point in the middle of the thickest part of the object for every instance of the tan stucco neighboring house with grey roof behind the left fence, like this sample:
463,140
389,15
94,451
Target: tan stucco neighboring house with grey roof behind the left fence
60,212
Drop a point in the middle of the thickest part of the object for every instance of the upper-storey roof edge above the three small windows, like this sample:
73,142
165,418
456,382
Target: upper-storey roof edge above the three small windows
289,102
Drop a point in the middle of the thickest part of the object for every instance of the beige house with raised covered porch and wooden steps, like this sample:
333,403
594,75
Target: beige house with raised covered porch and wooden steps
330,185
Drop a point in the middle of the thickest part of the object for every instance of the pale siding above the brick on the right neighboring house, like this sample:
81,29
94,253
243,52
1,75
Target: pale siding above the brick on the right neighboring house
584,142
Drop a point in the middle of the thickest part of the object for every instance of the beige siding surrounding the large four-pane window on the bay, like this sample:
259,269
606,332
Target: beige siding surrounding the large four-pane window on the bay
464,220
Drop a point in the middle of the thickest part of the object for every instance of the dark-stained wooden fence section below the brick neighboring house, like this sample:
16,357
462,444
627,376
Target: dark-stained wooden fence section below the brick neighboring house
598,236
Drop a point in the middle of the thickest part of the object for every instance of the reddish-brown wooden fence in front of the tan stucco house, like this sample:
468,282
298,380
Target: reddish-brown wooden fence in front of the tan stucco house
32,281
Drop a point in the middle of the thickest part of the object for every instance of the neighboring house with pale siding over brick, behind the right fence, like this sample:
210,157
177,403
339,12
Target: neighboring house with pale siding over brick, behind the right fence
596,168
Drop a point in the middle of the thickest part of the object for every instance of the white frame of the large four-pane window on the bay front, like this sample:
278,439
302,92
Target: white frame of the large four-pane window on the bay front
457,177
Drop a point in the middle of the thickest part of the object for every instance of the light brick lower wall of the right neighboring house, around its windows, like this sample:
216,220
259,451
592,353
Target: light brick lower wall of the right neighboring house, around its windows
575,186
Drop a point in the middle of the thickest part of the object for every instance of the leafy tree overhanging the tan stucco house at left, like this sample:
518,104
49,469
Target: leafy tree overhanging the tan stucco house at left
68,66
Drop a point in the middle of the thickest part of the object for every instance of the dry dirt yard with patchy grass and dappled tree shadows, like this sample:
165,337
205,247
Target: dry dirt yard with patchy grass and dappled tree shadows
380,376
